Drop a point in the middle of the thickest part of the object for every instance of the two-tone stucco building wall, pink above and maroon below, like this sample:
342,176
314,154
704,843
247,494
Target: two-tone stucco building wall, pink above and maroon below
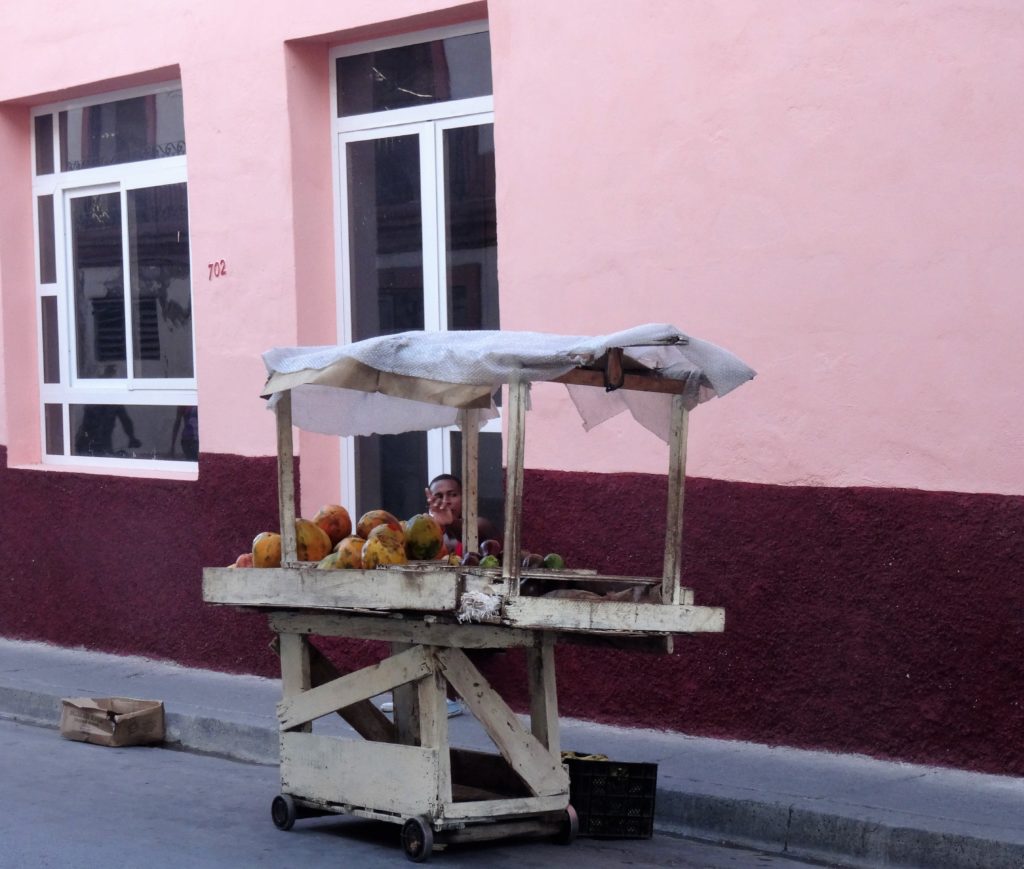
830,190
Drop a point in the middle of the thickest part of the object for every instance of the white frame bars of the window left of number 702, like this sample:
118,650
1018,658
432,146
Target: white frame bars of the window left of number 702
71,389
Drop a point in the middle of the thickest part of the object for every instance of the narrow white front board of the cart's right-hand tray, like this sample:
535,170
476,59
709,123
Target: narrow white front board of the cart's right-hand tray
565,615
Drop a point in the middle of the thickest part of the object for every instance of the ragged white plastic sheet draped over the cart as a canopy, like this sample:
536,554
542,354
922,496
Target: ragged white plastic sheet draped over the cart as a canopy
419,380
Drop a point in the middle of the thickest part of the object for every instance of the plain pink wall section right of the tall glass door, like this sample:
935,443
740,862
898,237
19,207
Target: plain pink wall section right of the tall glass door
831,190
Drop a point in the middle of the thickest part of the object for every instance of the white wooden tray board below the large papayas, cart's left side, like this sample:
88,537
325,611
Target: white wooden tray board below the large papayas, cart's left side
308,588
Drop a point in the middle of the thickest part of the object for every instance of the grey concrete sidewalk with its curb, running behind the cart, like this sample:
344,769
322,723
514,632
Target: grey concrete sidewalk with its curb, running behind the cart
846,810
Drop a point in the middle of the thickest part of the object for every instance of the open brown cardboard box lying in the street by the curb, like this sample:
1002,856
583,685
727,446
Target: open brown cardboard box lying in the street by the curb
112,721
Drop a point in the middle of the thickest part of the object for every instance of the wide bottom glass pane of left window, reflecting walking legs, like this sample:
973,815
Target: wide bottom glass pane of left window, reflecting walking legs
136,431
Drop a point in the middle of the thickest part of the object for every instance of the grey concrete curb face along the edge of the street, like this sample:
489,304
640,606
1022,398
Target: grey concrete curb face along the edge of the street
766,824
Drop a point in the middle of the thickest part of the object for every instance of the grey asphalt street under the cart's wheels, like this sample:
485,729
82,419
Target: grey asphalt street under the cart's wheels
70,805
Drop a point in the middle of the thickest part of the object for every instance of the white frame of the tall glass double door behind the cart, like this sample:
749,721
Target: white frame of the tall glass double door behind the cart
419,120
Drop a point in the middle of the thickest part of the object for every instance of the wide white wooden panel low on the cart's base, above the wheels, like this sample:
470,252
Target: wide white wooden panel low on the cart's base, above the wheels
395,778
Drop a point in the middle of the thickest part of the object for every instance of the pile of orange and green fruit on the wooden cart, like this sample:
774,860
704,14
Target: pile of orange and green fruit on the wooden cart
378,539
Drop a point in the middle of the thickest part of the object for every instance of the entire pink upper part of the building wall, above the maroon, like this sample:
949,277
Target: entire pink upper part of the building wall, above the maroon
830,190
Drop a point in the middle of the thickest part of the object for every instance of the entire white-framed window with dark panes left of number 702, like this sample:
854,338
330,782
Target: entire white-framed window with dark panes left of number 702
114,282
